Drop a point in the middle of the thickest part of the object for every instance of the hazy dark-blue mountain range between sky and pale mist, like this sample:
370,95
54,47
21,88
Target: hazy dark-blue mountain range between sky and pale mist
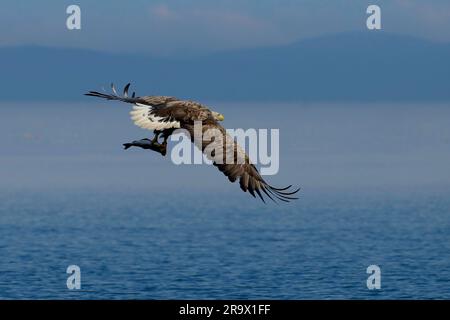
370,66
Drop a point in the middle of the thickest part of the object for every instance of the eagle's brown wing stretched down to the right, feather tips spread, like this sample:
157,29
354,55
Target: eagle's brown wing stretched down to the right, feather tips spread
241,169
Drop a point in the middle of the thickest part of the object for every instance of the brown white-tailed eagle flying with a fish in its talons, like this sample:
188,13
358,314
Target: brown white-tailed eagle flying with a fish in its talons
164,114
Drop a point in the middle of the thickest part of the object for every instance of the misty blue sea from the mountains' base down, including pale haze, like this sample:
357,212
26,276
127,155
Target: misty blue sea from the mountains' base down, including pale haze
375,189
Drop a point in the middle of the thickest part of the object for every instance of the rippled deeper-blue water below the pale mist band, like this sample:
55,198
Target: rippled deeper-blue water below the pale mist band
145,246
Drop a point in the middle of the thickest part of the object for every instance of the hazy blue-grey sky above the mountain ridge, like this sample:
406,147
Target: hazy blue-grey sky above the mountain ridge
178,27
